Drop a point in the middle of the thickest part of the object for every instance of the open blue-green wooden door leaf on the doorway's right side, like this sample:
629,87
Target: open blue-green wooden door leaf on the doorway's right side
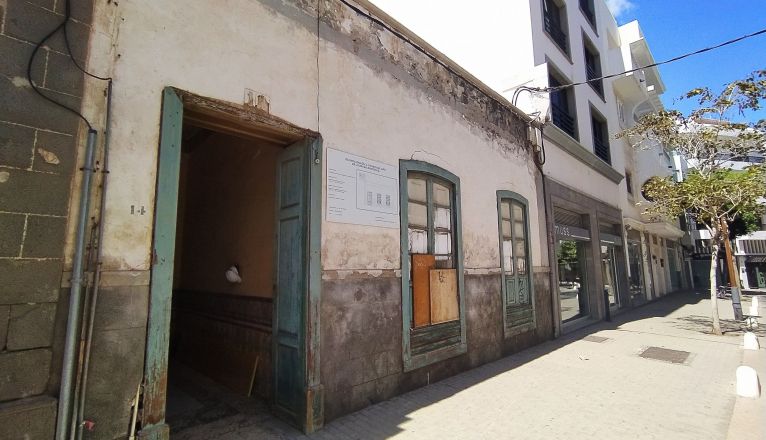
295,335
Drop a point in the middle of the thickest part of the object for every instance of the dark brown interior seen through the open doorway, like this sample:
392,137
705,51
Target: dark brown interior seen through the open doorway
223,281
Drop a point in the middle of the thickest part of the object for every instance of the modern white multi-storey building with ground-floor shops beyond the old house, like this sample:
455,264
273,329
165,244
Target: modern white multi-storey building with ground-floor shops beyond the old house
605,251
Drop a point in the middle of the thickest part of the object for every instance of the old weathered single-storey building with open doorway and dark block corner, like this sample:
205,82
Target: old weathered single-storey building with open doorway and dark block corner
303,201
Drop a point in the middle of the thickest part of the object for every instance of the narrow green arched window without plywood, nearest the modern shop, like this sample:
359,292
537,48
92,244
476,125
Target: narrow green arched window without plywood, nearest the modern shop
515,263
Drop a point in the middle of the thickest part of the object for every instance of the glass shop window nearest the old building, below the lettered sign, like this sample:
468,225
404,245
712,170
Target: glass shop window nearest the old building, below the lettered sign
573,290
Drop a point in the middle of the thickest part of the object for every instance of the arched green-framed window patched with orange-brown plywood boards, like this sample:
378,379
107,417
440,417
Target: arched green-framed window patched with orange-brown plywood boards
433,311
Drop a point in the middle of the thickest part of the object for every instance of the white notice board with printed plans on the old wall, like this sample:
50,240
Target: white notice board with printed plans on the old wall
361,191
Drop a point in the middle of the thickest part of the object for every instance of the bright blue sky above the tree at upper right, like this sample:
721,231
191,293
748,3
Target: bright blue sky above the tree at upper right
675,27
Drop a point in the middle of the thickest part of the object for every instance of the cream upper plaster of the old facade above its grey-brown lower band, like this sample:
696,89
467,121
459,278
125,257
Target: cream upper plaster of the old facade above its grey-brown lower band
370,93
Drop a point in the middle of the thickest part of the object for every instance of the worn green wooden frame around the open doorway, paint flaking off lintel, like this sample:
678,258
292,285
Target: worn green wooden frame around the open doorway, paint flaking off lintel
179,107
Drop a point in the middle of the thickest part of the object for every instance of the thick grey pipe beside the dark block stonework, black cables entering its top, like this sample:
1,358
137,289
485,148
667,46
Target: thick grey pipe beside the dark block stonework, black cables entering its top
64,413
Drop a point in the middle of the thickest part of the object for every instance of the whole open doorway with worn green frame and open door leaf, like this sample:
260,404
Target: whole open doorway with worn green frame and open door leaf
235,268
